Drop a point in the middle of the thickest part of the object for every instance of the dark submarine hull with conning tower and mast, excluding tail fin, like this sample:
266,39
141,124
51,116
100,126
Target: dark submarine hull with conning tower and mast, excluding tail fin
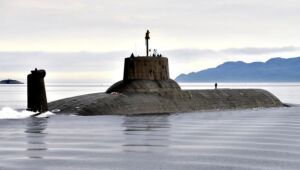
146,88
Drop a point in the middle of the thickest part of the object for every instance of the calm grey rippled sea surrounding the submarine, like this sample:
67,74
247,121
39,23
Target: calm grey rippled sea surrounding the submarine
236,139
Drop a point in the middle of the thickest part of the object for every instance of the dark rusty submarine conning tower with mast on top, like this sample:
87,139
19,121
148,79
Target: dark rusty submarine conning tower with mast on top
148,73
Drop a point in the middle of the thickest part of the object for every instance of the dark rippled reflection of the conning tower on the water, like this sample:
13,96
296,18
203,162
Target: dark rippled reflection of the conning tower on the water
146,133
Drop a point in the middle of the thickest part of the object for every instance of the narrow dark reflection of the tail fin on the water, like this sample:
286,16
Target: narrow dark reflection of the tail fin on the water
36,147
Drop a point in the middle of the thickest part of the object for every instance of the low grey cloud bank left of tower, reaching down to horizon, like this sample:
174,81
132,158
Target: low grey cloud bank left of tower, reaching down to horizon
77,66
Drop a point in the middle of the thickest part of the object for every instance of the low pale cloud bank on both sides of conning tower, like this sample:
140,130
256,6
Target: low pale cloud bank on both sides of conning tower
108,66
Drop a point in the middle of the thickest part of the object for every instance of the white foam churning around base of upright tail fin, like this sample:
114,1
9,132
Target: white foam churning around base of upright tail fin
9,113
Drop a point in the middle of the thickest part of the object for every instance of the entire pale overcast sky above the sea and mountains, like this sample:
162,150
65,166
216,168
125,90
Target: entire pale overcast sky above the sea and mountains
87,40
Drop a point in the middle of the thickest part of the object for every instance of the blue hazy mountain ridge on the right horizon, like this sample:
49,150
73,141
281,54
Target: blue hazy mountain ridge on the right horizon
274,70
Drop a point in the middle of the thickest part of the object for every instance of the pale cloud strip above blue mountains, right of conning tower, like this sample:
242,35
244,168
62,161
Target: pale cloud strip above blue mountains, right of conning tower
188,60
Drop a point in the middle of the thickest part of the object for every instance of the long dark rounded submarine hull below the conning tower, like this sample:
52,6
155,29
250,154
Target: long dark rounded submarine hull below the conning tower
164,102
